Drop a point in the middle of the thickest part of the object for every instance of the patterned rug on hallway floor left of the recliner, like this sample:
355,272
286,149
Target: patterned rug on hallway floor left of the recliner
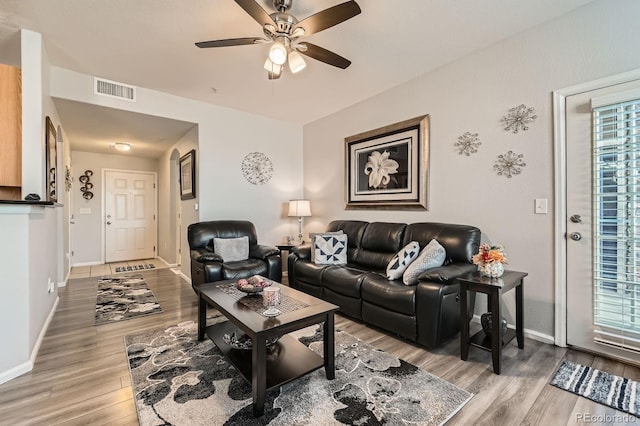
124,297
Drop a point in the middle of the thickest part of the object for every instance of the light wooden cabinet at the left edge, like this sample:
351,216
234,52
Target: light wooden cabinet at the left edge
10,132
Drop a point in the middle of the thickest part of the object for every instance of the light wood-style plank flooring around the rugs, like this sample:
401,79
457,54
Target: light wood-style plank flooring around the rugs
81,375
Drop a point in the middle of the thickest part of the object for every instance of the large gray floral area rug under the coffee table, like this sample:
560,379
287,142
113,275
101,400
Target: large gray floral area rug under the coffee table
180,381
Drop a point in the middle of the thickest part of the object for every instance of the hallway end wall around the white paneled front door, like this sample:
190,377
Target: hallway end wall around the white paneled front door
86,233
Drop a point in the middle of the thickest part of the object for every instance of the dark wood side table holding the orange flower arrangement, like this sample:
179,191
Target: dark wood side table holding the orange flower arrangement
493,288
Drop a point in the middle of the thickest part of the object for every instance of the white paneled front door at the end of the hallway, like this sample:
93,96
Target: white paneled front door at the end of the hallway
130,216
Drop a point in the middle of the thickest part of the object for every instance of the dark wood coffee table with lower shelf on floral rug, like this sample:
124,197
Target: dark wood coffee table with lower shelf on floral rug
288,359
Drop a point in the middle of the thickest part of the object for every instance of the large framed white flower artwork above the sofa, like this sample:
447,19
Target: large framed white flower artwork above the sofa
388,168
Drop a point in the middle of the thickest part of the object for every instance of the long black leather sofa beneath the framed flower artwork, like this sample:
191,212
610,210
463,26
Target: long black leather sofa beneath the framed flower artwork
426,313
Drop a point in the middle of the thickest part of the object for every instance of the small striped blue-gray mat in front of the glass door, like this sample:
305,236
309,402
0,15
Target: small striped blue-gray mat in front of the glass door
599,386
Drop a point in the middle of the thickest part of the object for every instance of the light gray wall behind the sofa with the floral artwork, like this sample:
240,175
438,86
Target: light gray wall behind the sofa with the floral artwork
472,95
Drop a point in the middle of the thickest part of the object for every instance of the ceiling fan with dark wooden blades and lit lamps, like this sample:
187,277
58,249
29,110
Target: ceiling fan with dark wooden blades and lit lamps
285,32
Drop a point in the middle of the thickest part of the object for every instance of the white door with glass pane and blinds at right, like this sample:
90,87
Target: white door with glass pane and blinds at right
603,222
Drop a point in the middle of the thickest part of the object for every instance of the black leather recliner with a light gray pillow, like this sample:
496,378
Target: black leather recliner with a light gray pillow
207,266
